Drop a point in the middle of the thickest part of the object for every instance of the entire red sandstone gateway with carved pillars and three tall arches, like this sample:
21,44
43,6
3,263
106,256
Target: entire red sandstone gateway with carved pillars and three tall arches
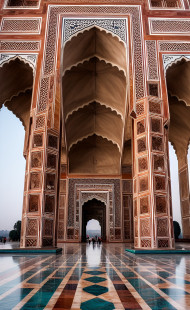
101,87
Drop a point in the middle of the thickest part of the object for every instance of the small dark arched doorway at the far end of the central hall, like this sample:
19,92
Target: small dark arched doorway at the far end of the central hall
94,219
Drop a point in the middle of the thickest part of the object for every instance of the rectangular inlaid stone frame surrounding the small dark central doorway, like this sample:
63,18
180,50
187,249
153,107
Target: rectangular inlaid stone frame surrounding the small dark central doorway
105,190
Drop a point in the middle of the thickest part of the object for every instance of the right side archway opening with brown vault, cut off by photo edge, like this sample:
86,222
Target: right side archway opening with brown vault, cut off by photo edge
178,87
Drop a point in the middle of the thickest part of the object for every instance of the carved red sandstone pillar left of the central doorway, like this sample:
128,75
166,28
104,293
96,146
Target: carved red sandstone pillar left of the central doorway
42,166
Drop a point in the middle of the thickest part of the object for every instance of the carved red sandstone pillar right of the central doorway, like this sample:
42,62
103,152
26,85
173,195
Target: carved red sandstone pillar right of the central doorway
153,224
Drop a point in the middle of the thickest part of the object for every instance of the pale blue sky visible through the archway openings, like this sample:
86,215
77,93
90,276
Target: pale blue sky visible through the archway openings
12,170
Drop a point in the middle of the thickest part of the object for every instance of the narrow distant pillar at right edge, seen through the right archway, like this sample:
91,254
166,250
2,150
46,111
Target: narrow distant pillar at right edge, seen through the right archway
184,191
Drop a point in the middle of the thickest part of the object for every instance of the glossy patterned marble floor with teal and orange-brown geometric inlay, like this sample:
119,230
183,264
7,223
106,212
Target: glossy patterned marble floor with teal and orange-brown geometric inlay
100,277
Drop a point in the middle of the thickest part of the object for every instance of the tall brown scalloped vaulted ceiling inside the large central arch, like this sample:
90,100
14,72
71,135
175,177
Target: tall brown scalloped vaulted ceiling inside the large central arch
94,85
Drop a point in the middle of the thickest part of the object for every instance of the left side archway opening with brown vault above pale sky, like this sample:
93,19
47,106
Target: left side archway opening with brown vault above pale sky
16,78
